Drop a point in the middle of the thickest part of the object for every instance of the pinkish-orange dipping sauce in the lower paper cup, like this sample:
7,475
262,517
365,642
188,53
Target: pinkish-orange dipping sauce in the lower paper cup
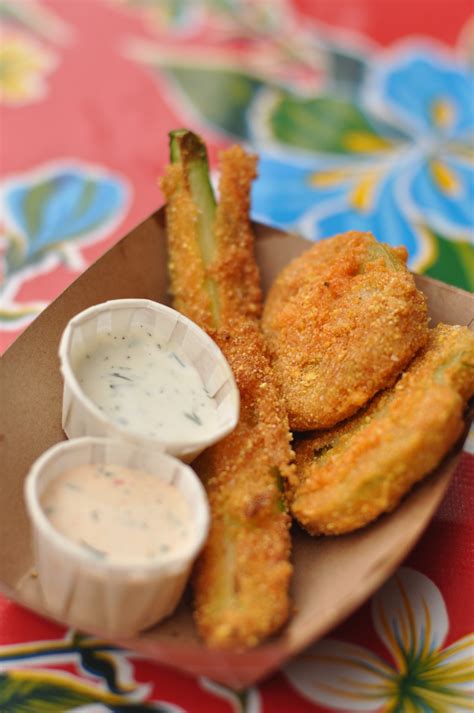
118,514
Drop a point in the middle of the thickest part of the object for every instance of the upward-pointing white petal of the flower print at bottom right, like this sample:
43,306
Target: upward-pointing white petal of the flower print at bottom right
410,616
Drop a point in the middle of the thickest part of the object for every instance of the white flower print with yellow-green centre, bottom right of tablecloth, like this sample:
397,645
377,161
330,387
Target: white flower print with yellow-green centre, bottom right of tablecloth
410,618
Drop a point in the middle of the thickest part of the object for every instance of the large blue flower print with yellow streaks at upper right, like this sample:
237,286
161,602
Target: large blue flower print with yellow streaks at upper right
418,191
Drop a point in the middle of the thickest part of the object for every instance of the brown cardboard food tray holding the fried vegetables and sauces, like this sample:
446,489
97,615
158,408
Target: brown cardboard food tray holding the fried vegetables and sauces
333,576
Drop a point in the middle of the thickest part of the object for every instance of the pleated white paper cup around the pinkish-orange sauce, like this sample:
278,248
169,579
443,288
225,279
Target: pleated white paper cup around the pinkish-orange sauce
109,597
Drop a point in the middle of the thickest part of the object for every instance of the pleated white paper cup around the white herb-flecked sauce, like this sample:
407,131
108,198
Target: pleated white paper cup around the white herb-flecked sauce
81,417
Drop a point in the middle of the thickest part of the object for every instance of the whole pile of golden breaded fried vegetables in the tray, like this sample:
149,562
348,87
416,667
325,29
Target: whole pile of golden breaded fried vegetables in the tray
343,355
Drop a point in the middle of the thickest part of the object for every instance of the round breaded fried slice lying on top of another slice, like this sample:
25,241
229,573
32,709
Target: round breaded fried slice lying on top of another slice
342,321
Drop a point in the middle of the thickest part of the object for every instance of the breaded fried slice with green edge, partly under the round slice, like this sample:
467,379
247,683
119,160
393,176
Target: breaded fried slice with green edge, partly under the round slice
353,473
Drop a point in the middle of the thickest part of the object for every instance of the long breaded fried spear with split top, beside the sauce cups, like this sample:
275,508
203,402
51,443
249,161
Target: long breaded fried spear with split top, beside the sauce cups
242,577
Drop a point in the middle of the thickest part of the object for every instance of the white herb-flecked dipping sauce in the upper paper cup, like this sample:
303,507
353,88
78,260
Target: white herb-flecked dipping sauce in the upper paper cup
146,387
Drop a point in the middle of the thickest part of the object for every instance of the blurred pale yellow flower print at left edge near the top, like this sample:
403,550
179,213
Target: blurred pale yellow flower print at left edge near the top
23,68
